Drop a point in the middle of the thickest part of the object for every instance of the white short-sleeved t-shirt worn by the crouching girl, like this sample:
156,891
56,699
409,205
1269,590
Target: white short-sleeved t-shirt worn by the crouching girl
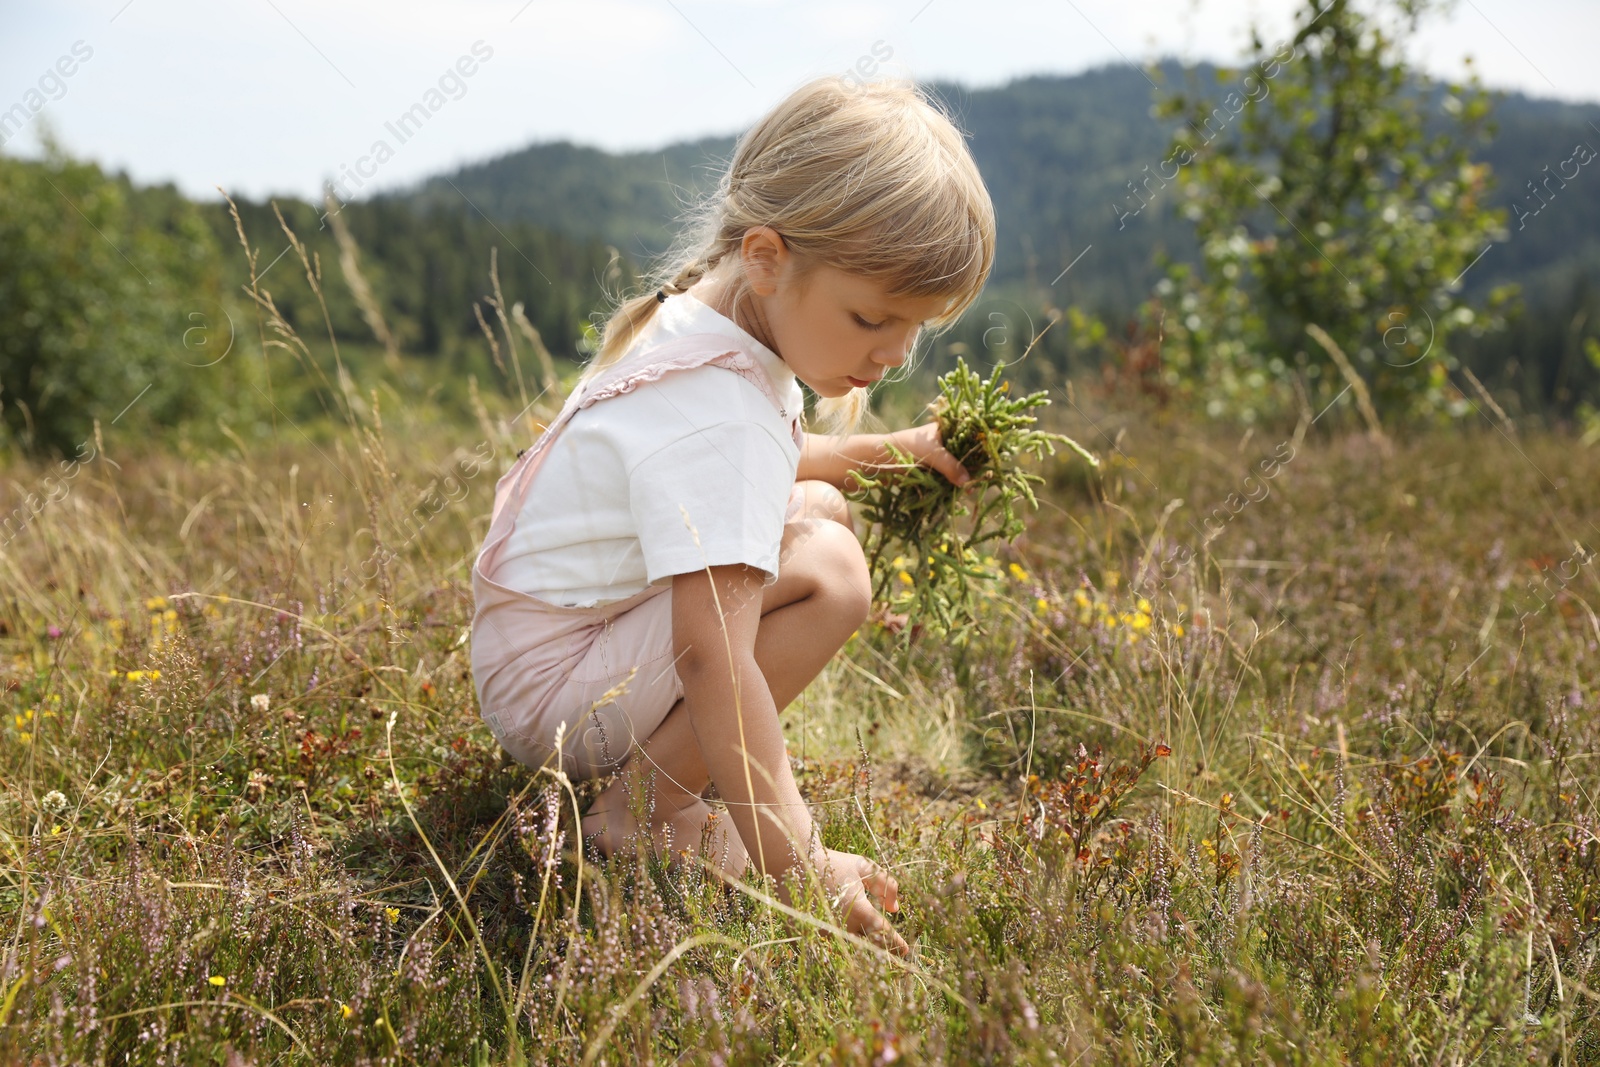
602,519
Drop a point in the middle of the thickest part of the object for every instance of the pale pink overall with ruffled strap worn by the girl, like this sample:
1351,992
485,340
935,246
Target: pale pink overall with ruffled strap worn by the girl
607,673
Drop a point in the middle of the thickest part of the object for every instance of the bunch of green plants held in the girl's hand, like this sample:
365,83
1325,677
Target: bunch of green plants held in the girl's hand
926,535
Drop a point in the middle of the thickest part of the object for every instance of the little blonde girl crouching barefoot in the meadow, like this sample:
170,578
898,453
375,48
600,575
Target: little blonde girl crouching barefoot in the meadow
673,562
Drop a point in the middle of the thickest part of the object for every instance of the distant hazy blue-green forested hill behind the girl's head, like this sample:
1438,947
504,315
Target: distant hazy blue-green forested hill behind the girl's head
1057,153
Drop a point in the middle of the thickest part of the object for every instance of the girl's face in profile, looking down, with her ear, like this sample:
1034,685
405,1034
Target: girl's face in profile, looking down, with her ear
836,330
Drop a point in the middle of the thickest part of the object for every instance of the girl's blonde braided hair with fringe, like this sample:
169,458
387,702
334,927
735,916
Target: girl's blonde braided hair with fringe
873,180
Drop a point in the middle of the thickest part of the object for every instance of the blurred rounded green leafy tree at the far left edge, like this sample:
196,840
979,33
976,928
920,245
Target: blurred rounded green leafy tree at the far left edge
111,305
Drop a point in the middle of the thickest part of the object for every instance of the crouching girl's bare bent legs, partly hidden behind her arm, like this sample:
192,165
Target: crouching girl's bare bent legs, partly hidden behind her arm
822,596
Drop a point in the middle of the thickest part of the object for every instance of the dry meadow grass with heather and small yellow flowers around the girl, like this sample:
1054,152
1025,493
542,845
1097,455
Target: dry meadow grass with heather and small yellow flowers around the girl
1316,789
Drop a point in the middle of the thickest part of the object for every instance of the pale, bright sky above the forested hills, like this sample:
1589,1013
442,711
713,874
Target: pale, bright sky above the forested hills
278,97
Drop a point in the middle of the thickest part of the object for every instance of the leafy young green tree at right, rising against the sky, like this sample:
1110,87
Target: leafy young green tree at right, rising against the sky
1330,186
